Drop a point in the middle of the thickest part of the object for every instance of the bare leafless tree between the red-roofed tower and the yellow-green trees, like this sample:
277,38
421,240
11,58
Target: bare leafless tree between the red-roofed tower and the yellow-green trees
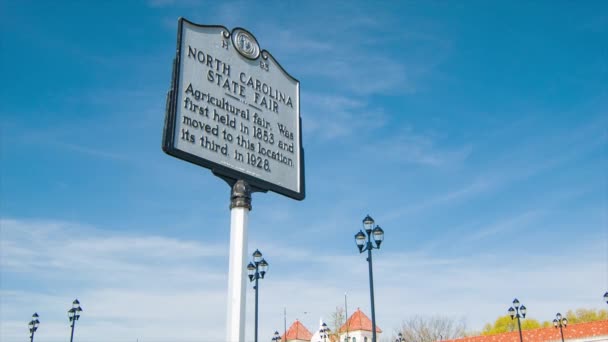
431,329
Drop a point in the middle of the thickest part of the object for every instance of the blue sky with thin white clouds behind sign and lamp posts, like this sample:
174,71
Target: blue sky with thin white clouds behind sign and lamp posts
474,133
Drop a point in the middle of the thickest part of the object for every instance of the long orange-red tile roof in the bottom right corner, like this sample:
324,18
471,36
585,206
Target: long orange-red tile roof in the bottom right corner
572,331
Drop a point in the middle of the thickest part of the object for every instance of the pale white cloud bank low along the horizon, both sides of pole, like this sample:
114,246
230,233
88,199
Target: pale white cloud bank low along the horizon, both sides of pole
149,287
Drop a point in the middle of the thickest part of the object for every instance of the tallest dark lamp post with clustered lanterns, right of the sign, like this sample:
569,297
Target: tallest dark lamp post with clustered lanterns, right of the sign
366,245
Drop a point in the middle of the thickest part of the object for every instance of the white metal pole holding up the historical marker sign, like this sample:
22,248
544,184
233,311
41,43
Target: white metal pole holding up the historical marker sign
240,205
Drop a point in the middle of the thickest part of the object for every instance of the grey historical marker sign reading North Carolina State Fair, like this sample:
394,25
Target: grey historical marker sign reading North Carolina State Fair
233,109
